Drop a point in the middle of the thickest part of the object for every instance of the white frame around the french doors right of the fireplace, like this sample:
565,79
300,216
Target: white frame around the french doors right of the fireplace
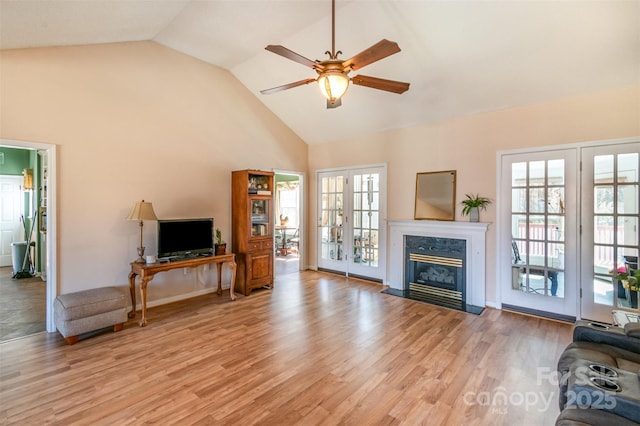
502,221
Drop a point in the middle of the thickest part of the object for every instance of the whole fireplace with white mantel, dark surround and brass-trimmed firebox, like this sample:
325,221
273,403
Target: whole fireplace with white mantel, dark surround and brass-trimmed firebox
438,262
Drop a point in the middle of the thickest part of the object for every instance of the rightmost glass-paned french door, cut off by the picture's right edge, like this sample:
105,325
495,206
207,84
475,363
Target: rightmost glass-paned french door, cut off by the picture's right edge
610,198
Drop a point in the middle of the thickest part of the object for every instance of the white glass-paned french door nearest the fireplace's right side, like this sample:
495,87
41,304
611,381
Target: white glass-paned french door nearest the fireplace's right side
539,214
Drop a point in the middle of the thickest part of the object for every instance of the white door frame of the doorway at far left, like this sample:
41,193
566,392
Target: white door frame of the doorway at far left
51,266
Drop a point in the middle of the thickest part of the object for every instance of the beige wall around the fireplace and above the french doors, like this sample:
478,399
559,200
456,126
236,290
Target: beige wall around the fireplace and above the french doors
469,145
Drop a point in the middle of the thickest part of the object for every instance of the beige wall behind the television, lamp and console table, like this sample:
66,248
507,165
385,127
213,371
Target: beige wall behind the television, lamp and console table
136,121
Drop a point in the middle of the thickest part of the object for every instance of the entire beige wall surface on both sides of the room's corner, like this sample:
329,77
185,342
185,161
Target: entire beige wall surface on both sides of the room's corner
138,120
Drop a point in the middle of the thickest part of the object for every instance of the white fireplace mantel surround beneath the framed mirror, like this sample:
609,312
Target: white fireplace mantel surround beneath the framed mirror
473,233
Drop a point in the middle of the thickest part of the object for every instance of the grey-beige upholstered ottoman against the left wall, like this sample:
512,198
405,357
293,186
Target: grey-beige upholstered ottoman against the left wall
89,310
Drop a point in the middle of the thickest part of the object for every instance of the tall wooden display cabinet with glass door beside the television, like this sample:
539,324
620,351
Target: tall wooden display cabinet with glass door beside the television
252,228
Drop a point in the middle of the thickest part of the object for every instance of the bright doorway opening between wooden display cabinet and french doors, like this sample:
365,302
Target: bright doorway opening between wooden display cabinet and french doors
288,242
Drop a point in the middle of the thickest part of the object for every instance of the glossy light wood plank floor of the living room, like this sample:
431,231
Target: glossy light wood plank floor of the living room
318,349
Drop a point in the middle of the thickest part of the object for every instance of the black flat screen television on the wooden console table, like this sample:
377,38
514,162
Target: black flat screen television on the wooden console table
185,237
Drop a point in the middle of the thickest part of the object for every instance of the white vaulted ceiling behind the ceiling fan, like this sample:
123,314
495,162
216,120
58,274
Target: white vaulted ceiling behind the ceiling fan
461,57
